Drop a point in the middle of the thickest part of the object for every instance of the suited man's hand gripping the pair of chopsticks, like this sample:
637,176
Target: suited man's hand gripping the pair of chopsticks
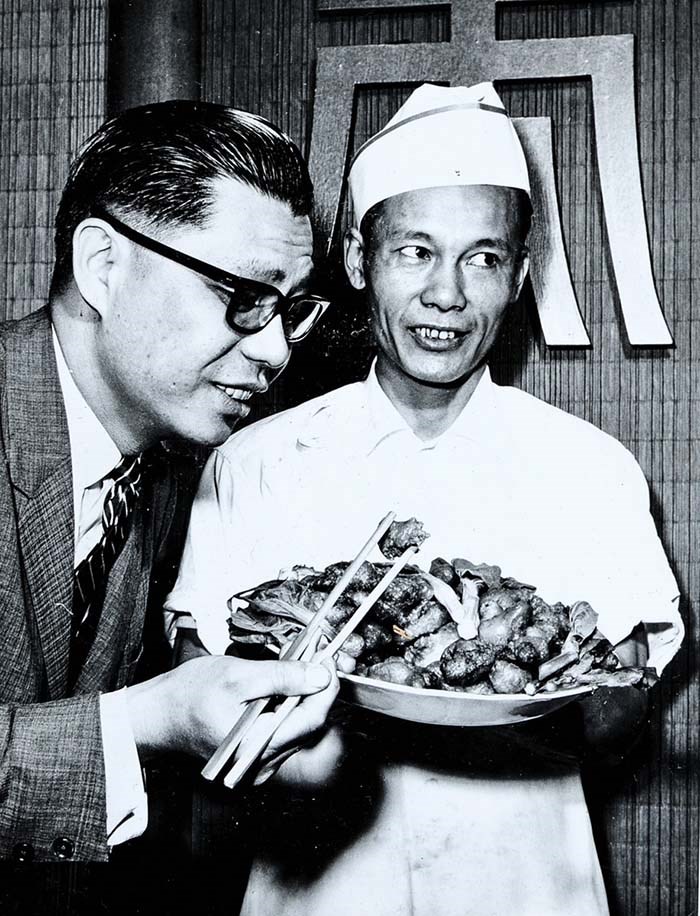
193,707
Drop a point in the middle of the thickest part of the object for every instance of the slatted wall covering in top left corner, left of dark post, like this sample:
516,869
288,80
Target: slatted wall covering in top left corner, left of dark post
52,60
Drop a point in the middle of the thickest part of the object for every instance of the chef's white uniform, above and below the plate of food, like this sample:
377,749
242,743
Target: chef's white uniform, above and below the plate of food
556,503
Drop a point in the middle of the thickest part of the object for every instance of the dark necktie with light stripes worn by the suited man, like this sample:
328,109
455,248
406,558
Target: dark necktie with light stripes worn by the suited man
90,578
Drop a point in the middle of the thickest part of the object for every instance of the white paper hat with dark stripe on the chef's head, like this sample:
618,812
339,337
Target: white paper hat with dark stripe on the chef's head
441,136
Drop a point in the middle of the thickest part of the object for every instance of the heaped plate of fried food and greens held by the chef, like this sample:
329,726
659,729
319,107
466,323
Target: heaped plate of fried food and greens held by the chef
458,643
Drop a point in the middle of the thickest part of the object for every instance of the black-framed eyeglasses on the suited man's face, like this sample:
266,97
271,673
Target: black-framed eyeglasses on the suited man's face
252,305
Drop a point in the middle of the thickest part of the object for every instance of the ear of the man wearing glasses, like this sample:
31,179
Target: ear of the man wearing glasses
96,250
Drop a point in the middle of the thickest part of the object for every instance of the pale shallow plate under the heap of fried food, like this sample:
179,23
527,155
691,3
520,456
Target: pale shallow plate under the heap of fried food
442,707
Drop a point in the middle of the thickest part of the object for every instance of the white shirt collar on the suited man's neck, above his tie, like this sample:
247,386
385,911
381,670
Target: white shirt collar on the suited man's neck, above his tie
93,453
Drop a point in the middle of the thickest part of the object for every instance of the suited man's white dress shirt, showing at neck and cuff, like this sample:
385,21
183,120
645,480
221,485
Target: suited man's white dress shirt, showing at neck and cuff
93,456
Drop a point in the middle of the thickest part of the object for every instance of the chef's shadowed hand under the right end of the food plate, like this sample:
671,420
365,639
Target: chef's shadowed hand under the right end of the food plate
614,717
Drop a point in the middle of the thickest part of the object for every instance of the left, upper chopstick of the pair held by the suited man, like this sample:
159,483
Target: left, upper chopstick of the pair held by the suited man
294,652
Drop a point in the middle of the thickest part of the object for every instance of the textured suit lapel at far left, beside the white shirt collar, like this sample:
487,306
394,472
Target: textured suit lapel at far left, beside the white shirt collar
40,468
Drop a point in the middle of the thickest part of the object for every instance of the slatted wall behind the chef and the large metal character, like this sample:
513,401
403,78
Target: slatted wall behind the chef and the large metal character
646,814
